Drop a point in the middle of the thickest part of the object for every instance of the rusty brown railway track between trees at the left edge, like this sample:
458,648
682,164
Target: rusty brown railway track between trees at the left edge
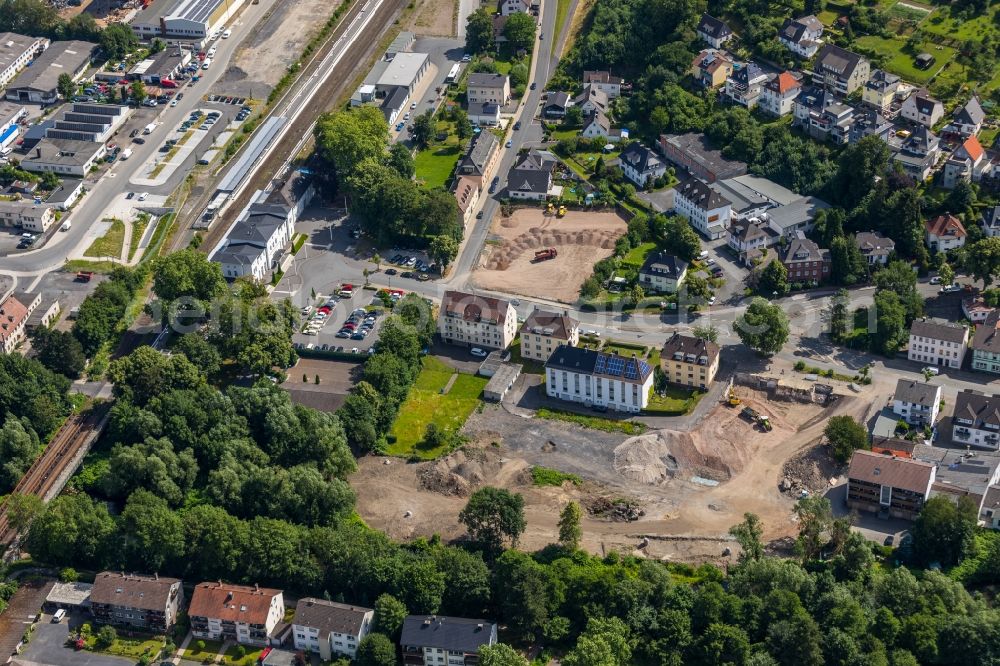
45,472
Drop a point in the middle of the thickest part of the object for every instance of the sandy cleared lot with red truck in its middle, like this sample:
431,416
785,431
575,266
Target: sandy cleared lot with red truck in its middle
581,238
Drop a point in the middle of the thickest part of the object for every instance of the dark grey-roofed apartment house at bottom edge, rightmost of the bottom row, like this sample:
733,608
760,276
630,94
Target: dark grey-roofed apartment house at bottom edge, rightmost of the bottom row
436,640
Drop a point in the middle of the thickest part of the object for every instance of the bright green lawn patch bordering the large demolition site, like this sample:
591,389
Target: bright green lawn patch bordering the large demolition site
425,404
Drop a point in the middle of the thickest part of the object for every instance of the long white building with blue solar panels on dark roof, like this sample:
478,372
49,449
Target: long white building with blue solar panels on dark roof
593,378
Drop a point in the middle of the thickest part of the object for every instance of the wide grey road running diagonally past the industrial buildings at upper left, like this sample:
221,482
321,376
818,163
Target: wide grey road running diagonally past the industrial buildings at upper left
114,182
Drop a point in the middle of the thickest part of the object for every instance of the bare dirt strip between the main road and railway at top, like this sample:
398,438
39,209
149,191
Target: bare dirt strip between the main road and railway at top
274,44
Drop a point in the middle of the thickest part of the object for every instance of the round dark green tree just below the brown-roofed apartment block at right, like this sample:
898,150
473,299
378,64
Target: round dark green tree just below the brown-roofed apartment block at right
944,531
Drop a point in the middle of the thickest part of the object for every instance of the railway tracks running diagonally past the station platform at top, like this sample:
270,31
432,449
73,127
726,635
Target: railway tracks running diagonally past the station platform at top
300,129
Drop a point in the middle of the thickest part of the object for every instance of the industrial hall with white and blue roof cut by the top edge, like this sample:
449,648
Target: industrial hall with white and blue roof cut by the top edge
184,19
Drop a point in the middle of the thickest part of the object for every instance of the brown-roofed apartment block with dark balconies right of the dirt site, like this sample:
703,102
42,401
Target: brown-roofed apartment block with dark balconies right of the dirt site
888,485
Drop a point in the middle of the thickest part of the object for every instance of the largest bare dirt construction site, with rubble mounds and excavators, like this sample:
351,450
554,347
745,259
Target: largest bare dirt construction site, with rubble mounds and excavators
667,474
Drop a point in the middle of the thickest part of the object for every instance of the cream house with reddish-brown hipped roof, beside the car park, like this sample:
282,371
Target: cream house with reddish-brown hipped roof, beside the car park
476,321
